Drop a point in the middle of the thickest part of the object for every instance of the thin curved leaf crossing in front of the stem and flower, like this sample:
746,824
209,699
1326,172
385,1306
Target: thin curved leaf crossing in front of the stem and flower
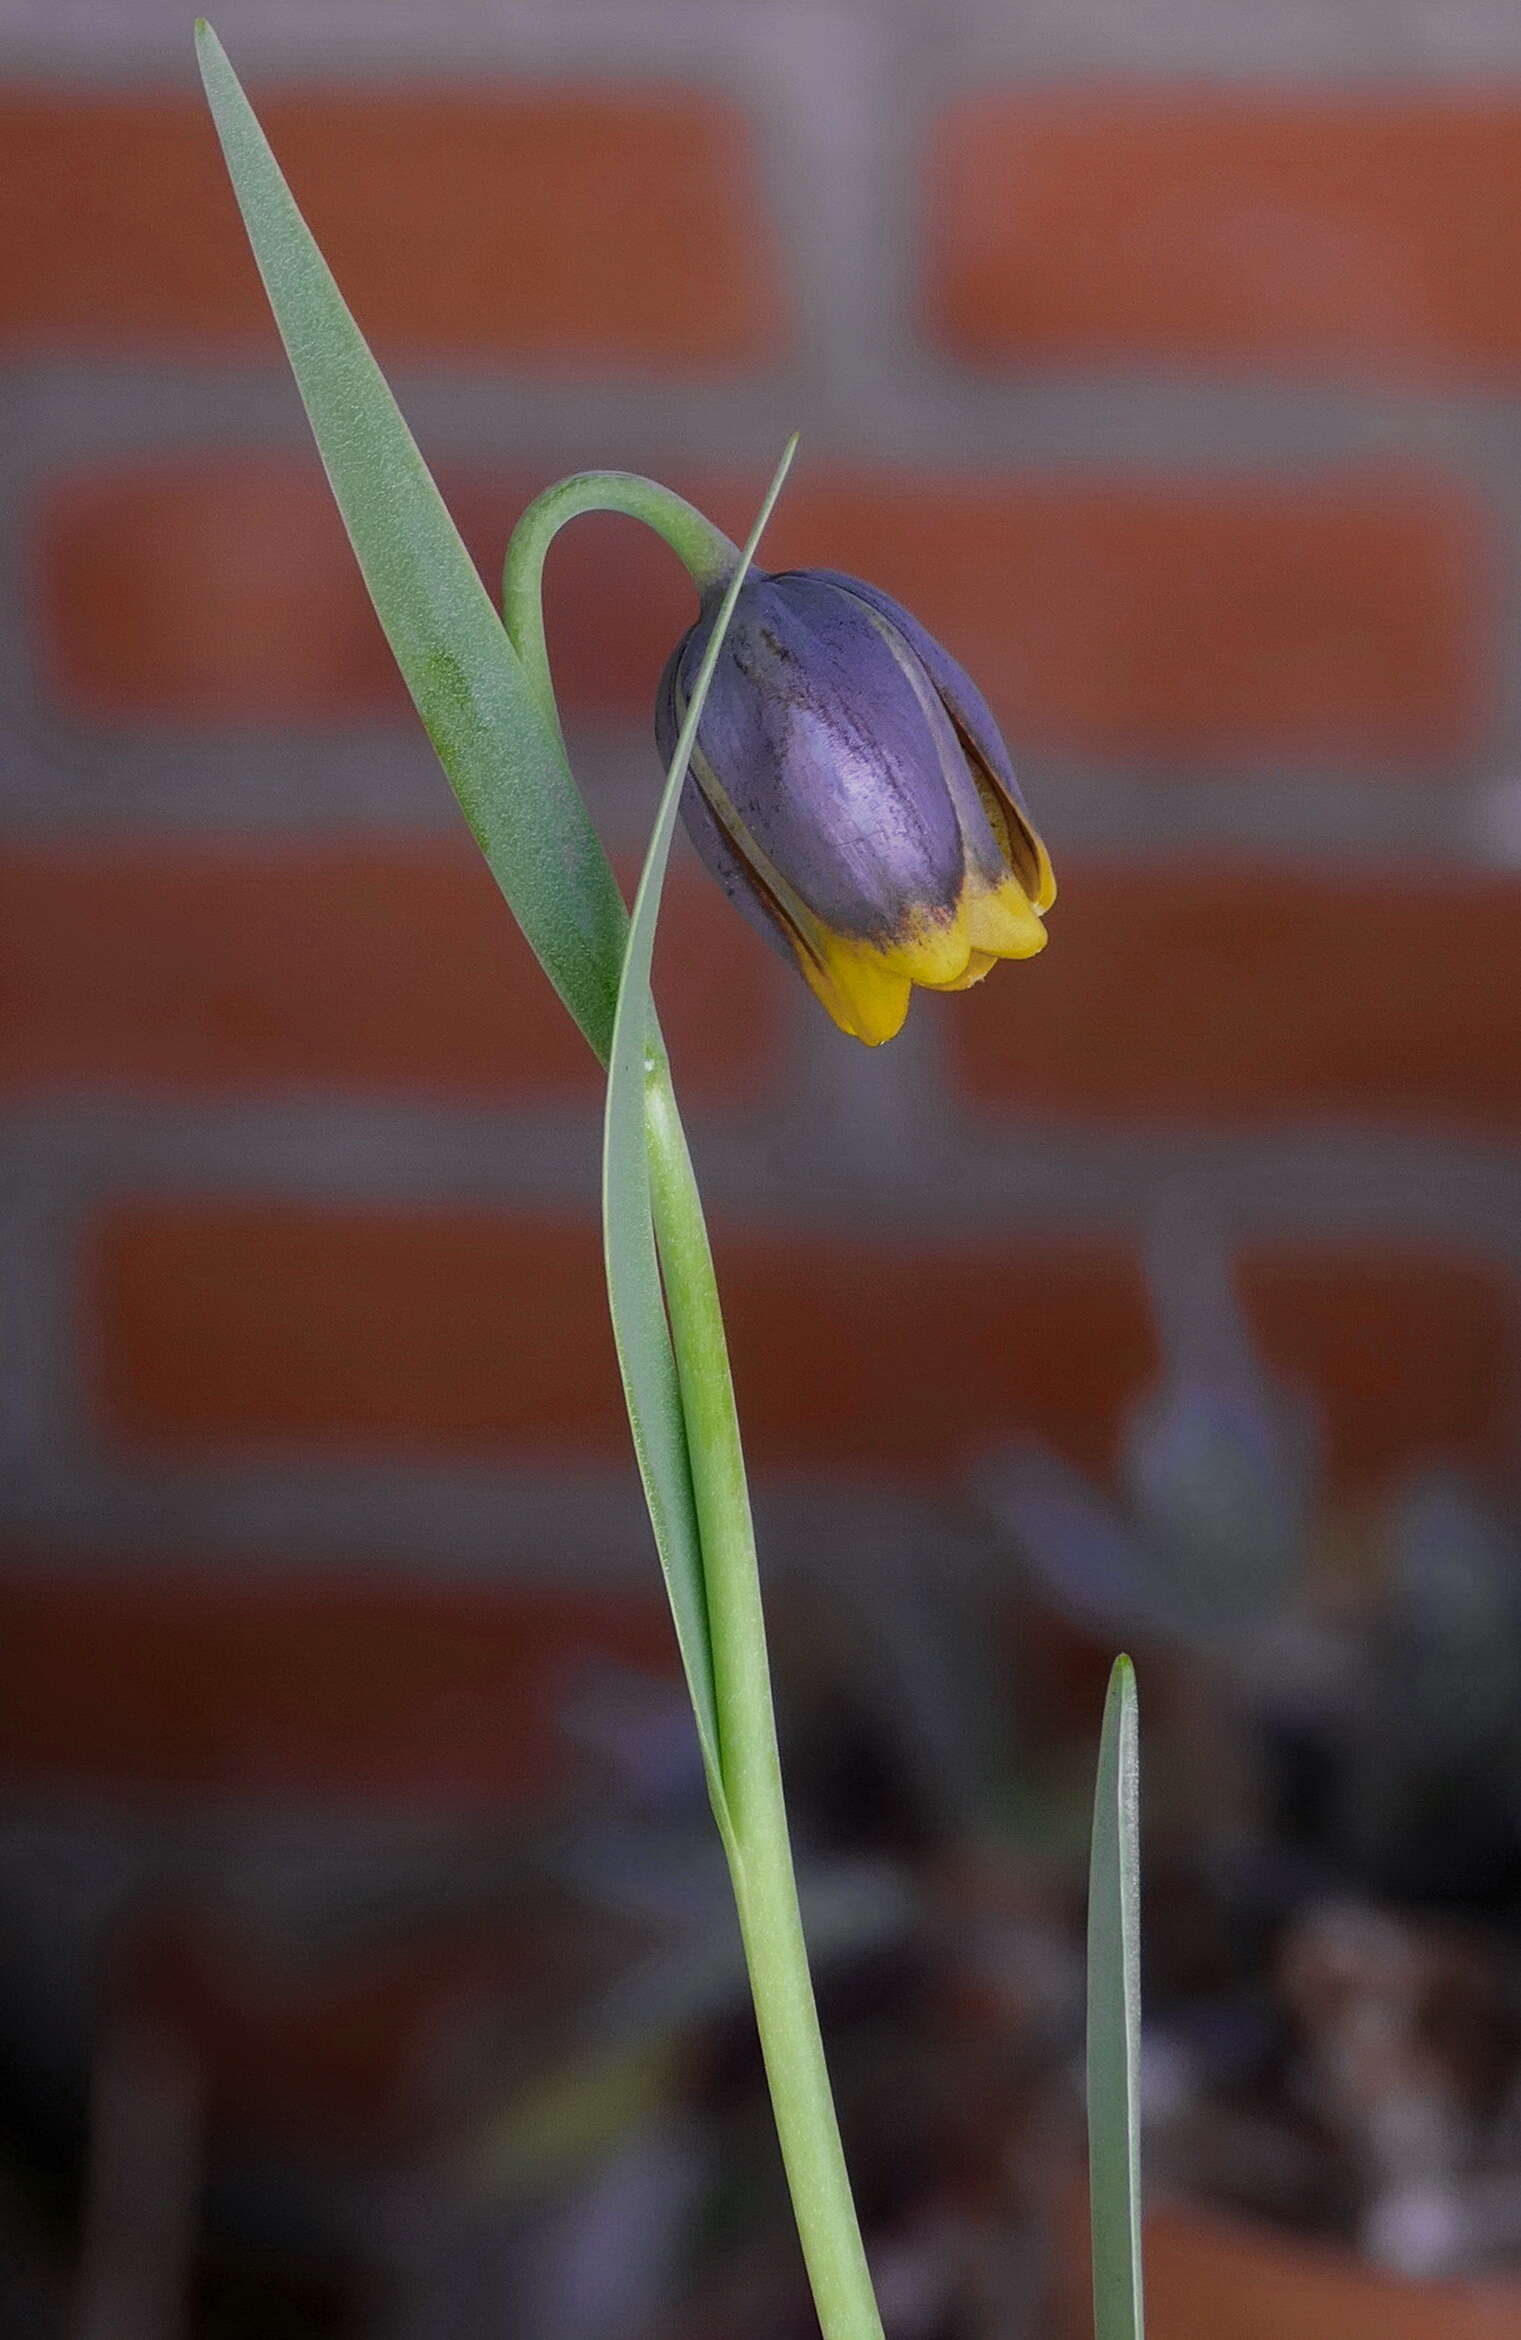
633,1267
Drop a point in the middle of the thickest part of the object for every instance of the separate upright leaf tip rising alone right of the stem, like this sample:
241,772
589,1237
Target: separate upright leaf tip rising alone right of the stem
1115,2021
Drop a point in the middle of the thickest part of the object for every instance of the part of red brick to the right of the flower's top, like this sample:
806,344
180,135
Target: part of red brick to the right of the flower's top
1174,619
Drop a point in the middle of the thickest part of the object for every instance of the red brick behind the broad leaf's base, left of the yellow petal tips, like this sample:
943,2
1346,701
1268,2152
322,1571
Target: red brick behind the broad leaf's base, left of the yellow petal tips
355,965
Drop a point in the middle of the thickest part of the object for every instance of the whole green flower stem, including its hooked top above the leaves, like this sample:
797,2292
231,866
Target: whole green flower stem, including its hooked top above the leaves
752,1812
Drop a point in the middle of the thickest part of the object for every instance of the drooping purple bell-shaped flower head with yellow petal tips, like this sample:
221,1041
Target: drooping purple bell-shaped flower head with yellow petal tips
855,799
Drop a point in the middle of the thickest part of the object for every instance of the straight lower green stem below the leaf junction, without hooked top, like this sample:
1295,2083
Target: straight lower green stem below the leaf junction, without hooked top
757,1838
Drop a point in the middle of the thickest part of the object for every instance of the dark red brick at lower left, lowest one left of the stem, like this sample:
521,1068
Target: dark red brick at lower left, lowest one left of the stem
312,1684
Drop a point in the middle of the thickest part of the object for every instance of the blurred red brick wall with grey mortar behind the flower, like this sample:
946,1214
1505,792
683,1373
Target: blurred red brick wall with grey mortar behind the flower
1169,364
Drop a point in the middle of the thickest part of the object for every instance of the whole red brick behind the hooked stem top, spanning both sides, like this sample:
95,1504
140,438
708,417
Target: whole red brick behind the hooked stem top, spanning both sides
1344,612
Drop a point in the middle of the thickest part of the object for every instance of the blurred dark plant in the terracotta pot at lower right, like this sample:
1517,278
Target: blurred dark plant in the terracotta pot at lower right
1337,1906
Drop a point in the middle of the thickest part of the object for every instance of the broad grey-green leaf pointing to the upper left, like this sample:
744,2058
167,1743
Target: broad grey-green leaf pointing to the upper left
493,738
